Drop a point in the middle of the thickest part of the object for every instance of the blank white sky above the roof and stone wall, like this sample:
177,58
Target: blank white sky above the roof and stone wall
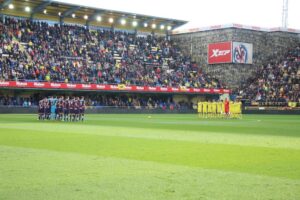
201,13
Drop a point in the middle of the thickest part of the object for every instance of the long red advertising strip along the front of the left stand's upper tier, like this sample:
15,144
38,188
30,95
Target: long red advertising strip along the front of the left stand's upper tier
101,87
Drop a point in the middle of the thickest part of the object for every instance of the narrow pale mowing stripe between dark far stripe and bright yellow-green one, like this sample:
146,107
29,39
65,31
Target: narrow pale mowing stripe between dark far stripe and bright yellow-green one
195,136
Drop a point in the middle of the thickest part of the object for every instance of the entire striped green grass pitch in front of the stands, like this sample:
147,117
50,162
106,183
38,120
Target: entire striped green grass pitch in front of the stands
132,157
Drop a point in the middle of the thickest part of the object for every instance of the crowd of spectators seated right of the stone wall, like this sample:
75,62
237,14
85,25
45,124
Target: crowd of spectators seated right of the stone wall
276,82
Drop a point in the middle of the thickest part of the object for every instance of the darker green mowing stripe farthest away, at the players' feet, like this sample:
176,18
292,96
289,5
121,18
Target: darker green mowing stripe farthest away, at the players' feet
251,124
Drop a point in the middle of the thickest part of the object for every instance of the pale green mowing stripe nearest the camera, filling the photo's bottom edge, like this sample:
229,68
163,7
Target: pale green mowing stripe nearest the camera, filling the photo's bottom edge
41,174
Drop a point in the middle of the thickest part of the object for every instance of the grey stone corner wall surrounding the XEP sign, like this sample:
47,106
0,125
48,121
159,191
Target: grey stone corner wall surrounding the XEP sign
267,47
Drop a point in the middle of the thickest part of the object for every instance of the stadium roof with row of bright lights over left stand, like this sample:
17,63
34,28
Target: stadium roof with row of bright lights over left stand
71,13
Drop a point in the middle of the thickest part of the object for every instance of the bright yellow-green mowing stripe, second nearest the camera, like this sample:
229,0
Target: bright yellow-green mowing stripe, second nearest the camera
257,160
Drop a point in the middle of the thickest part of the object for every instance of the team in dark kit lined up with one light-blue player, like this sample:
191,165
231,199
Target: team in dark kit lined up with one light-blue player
60,109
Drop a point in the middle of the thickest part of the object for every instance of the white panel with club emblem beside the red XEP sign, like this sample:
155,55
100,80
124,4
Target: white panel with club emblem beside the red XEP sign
242,52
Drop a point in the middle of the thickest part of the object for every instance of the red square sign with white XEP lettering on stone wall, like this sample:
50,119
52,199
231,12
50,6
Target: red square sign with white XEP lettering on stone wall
219,53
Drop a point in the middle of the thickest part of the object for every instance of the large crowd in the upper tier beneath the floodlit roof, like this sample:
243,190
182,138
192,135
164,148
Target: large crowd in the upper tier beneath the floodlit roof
38,51
